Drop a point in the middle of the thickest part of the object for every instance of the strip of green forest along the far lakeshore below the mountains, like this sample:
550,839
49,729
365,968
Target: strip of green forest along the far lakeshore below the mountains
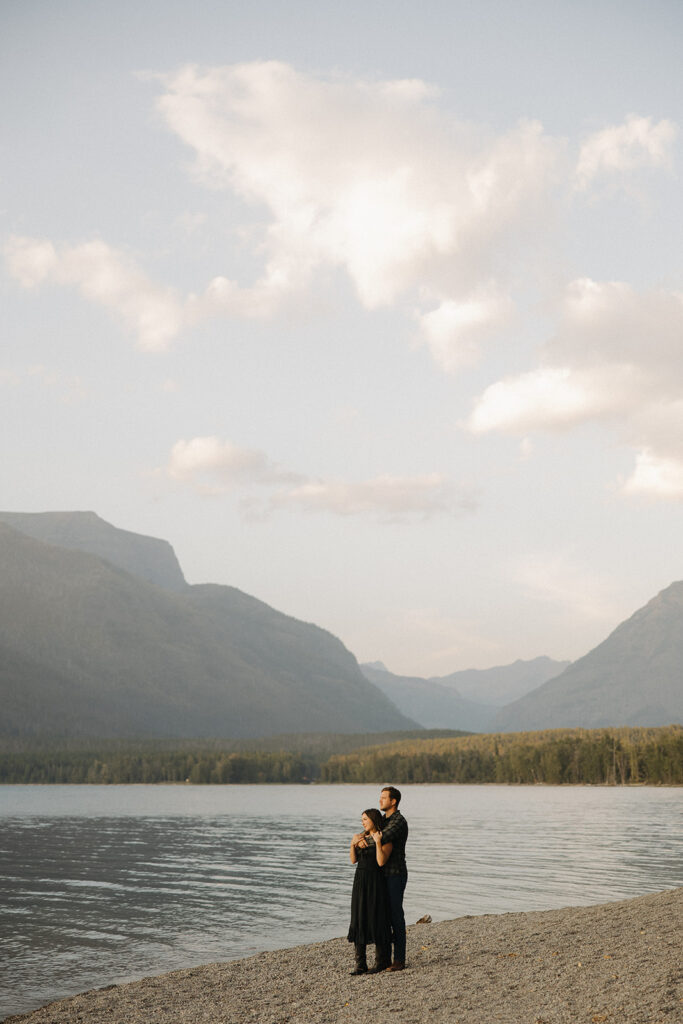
596,757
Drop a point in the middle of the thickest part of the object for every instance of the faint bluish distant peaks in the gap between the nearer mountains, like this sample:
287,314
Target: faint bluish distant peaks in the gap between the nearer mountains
467,700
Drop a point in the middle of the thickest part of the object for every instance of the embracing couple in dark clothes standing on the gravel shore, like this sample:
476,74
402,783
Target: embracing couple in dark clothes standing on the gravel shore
377,901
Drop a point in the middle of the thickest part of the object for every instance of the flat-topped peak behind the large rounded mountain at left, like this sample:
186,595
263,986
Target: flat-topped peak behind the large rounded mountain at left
147,558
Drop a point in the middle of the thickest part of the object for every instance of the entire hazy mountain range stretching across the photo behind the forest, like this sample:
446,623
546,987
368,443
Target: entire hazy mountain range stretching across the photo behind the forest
101,636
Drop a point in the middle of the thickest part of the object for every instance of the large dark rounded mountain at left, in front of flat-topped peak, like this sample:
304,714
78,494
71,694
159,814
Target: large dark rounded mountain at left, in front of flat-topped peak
91,650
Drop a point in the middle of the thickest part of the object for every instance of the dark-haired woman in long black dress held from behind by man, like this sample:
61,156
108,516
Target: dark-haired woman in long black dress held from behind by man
370,905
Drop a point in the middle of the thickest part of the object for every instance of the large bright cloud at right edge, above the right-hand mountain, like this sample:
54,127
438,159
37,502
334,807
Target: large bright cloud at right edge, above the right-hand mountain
615,359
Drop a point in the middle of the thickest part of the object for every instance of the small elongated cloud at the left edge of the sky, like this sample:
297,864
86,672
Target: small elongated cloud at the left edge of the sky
106,277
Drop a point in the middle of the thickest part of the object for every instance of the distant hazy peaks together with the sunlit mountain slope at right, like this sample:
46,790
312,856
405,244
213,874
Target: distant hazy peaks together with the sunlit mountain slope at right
635,677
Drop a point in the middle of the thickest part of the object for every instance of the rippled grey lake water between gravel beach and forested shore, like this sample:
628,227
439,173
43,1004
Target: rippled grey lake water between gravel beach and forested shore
101,885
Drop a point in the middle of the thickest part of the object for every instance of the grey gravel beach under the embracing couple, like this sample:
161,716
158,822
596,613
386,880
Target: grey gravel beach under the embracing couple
616,963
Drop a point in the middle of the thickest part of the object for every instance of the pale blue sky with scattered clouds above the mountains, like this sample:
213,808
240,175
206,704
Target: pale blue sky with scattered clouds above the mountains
372,310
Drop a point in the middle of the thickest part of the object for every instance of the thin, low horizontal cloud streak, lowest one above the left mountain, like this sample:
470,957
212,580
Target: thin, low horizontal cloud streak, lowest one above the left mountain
212,466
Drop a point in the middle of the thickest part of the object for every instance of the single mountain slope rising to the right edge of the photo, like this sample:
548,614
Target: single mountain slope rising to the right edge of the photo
635,677
